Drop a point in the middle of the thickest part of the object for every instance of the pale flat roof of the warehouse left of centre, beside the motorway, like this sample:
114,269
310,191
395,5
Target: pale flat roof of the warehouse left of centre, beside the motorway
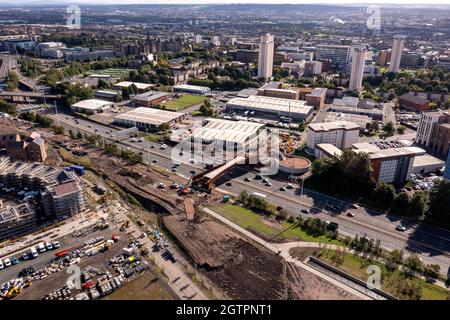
149,116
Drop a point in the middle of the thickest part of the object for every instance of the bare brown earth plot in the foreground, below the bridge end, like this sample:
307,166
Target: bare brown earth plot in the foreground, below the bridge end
243,271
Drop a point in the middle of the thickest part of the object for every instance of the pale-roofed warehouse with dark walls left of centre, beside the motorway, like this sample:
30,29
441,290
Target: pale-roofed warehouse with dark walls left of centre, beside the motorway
147,118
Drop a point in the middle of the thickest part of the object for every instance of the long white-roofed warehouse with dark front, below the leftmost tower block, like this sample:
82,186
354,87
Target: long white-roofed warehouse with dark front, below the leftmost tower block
272,108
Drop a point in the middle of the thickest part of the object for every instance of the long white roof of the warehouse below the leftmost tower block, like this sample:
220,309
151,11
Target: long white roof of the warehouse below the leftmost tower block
271,104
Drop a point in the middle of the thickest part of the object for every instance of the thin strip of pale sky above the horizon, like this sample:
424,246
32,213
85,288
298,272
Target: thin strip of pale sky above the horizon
417,2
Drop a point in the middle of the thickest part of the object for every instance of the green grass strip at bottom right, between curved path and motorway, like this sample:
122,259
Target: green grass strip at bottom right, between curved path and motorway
357,267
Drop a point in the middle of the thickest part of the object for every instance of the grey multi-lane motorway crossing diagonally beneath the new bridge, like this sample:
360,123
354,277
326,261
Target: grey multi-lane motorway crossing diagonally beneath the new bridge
433,244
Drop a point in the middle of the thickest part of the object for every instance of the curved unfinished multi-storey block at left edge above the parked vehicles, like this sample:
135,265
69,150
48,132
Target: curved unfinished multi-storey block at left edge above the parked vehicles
55,192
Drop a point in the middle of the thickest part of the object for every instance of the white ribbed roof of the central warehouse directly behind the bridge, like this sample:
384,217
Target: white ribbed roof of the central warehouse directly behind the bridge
226,130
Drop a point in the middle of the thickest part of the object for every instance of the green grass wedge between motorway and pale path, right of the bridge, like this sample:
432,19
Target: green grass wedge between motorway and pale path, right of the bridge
260,224
